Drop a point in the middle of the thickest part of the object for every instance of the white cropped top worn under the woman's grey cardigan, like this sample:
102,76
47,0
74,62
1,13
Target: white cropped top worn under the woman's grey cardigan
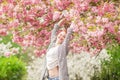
52,57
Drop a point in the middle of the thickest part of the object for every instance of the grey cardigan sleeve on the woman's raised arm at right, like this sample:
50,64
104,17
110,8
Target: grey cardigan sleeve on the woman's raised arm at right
67,39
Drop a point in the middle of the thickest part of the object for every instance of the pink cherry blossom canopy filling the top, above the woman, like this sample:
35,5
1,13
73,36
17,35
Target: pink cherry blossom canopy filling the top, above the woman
96,22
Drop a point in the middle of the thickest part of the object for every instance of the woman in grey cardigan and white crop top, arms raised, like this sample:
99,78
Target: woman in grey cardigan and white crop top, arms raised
55,67
